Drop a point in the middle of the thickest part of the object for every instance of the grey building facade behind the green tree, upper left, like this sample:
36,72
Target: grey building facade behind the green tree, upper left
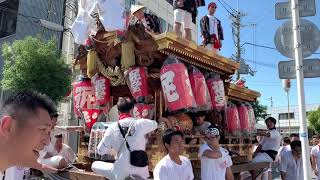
19,19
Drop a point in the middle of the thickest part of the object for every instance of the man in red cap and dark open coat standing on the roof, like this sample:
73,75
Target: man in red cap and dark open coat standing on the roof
211,29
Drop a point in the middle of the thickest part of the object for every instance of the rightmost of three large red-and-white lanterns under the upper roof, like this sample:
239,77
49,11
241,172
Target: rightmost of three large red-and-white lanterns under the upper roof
216,90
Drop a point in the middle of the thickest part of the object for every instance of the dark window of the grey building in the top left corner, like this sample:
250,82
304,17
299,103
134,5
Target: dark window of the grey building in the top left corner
8,17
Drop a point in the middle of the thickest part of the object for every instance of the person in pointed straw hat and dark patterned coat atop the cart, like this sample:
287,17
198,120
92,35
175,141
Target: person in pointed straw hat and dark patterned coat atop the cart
150,22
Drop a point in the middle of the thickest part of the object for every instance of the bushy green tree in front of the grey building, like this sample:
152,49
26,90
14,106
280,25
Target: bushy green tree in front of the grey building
33,64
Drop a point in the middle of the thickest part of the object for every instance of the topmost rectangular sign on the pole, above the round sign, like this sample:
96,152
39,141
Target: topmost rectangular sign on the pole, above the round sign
306,8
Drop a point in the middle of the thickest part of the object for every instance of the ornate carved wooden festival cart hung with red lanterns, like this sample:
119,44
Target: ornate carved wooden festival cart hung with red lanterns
113,58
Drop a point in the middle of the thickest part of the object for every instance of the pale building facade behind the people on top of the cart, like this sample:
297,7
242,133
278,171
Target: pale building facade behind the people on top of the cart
164,11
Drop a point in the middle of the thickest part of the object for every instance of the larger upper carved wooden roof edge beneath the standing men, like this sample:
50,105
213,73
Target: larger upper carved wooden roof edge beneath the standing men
189,52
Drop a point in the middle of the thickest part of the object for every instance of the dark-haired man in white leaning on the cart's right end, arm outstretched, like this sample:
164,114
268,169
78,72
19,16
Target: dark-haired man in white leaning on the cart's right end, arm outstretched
269,144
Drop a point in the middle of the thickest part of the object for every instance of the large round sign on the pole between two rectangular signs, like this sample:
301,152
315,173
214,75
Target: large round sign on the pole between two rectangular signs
310,38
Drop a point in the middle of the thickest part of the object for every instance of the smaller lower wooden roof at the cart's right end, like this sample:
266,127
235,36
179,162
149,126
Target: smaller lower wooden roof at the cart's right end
242,94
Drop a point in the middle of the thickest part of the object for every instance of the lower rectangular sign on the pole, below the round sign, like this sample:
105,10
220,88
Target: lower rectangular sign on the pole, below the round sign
287,69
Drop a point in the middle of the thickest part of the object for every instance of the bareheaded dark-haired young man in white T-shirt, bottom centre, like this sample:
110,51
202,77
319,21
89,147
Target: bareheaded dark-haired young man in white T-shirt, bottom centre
173,165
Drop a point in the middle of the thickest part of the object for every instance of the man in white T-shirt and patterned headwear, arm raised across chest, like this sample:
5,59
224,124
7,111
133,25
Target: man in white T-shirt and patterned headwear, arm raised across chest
215,161
